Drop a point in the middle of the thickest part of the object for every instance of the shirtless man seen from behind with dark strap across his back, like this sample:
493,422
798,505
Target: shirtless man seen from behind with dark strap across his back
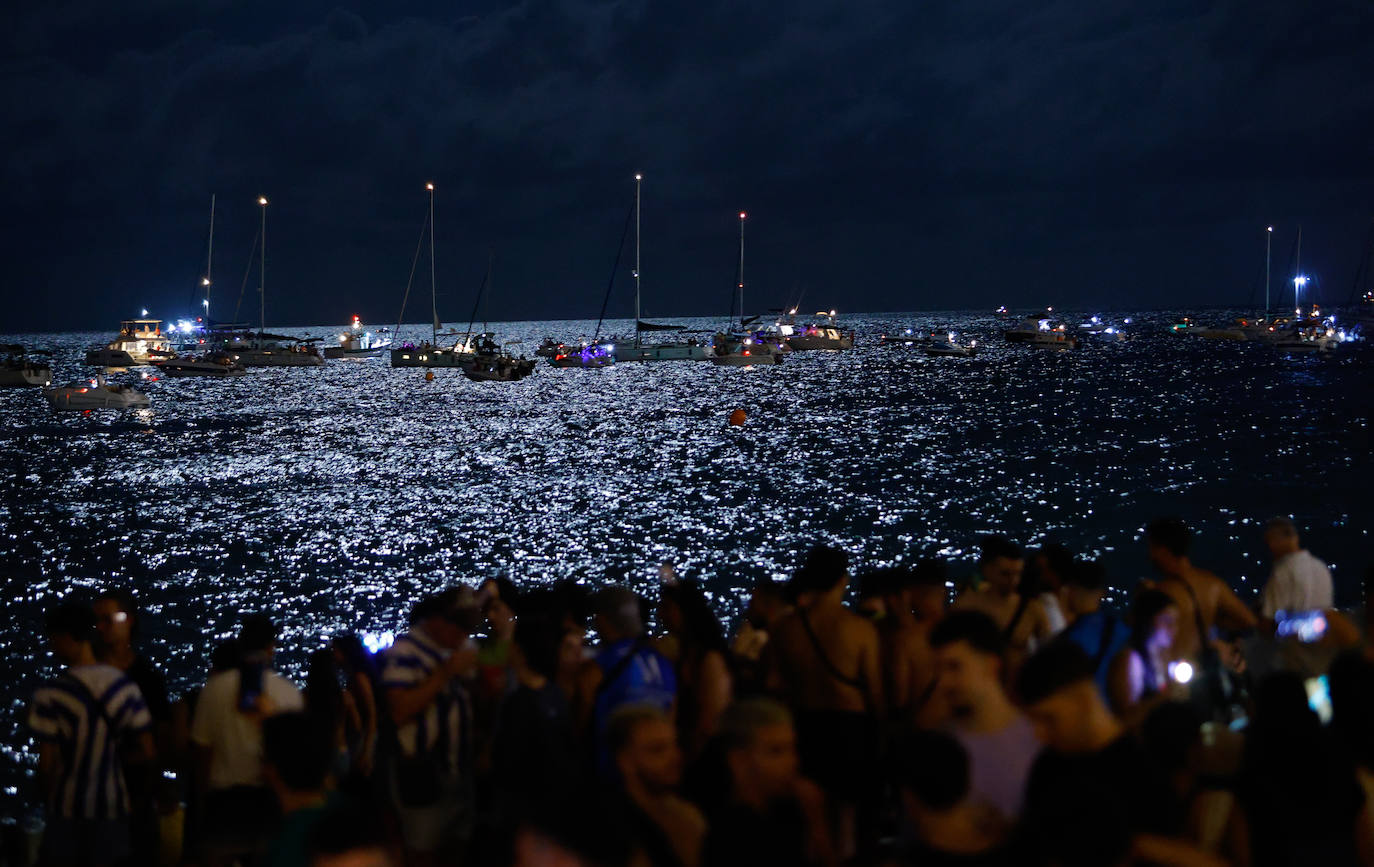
825,663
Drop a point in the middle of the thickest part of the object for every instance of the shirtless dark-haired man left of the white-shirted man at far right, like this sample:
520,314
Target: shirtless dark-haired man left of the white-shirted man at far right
1200,596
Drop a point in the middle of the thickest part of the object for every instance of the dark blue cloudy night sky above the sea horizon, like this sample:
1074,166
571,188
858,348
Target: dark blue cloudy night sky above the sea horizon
892,155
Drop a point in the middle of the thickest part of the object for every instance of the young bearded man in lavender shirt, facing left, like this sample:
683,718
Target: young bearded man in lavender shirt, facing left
1001,743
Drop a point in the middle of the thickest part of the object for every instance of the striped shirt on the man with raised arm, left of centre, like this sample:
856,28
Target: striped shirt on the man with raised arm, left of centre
444,729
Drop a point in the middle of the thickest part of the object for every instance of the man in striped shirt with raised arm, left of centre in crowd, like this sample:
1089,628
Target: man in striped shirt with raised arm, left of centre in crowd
423,674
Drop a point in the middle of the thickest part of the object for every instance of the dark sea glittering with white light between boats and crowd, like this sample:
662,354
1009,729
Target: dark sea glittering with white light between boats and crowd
335,498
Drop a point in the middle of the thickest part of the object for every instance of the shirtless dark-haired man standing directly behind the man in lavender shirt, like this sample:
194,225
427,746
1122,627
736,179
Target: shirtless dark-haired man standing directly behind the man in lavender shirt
1024,622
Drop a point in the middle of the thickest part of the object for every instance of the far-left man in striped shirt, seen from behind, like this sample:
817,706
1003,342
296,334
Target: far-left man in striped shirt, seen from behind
90,722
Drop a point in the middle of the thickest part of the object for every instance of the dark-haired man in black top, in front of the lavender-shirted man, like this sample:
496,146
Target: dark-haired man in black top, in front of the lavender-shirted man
1093,793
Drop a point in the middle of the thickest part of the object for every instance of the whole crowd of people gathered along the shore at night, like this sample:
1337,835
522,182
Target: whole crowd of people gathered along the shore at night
894,718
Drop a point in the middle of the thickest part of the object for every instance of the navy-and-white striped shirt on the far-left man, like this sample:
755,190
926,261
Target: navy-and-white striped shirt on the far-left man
87,714
